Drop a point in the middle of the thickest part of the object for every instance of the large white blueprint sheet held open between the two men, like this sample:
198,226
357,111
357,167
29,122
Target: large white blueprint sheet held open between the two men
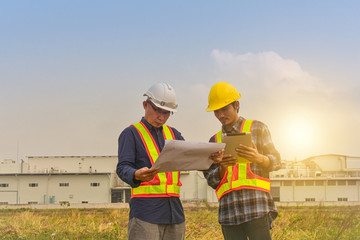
178,155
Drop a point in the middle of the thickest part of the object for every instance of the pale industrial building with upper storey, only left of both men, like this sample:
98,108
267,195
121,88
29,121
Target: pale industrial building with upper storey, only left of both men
46,180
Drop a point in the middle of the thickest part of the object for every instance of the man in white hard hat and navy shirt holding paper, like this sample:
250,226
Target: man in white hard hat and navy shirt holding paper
156,211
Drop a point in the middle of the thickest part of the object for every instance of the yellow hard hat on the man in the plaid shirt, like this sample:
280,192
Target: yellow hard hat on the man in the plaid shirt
222,94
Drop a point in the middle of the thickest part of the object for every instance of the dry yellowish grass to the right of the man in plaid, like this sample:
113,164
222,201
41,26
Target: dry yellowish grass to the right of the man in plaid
327,223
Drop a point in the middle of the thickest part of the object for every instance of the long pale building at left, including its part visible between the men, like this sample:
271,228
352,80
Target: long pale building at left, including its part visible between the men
78,179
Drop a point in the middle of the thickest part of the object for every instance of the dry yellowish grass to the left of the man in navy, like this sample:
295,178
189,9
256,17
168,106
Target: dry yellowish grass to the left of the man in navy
64,224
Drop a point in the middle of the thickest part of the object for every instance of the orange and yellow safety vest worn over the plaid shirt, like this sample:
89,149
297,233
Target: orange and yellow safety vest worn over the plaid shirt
240,175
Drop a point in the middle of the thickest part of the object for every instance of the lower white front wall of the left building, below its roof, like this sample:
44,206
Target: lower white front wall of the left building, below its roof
45,188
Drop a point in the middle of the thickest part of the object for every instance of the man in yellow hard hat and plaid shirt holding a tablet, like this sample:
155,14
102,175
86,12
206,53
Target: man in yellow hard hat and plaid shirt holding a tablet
246,208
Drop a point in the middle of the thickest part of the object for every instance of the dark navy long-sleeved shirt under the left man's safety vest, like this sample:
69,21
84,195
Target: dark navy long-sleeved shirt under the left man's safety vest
132,156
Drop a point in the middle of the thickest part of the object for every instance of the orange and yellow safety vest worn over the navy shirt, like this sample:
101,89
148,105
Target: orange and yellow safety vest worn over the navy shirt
165,184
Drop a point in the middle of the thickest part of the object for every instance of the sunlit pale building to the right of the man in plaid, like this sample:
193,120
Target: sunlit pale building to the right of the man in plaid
324,178
